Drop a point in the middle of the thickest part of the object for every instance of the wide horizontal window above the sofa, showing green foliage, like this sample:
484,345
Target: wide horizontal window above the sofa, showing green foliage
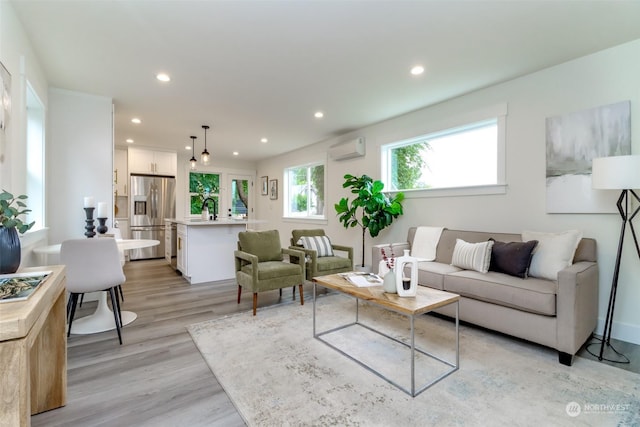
467,156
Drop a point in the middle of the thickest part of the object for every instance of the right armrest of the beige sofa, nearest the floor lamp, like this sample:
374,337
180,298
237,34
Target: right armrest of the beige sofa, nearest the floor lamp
577,305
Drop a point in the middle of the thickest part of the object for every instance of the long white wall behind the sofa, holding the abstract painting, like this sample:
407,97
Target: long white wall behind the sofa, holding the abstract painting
595,80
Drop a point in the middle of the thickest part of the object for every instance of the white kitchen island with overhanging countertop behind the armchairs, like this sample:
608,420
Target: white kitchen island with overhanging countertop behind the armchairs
204,249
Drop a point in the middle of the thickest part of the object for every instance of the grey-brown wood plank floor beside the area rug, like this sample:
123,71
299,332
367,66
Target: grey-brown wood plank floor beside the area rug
158,377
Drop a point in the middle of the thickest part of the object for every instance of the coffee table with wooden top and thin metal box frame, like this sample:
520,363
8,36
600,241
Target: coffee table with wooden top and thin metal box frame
426,300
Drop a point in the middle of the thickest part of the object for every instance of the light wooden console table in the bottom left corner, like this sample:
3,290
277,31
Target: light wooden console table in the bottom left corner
33,351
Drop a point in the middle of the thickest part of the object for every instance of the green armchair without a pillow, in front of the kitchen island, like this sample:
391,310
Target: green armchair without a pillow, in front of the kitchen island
260,264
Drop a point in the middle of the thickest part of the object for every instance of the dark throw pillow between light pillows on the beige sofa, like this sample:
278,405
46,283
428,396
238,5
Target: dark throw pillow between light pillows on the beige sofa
512,258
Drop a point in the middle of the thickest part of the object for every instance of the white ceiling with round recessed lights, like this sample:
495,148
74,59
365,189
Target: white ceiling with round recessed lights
261,69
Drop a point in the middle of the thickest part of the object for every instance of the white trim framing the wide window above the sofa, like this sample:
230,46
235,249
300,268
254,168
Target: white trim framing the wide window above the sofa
496,112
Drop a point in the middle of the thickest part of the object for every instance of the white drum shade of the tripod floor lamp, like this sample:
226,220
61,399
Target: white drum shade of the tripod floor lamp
616,173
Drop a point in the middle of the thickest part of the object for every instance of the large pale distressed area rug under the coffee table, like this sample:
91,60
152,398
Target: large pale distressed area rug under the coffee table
277,374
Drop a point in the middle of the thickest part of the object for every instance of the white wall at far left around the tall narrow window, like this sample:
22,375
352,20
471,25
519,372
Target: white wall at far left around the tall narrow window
17,55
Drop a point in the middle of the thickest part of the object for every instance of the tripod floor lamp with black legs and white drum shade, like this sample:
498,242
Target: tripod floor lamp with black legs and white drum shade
618,173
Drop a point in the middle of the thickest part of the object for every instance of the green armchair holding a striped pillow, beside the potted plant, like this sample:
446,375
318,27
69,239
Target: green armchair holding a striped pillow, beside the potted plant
322,261
